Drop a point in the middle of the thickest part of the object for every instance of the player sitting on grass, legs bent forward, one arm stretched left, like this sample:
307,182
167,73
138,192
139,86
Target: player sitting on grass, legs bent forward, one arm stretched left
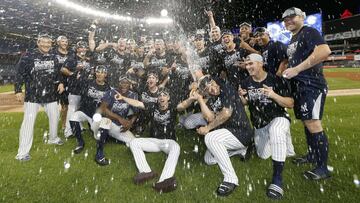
162,138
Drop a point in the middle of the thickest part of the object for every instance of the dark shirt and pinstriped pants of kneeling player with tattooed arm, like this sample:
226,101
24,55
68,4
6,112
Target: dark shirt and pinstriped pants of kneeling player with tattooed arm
232,137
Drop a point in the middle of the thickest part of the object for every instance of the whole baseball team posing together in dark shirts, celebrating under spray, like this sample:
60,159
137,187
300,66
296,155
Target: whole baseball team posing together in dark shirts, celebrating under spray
203,83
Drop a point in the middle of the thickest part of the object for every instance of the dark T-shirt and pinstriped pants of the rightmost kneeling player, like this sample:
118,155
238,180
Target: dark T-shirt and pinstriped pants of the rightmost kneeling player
271,121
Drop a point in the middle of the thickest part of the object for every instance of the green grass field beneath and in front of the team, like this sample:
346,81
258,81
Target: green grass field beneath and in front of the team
44,178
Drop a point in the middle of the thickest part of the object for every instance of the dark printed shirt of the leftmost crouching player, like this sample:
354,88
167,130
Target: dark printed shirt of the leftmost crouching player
91,96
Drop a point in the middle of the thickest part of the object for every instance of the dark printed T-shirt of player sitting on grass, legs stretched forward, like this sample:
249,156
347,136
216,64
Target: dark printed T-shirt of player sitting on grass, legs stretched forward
162,122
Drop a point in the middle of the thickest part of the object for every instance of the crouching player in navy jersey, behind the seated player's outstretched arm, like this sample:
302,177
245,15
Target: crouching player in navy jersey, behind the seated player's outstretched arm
118,118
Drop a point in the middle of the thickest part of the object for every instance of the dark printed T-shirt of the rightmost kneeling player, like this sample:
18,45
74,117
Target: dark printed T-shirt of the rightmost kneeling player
263,109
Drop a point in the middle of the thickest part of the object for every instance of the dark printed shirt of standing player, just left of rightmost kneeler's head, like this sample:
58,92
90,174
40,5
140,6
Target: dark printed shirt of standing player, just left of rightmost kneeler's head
234,73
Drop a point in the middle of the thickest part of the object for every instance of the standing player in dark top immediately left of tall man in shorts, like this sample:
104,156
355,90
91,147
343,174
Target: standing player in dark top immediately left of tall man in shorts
273,53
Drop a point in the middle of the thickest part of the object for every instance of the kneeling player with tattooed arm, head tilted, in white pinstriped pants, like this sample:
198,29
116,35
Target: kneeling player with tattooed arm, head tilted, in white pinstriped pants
228,131
